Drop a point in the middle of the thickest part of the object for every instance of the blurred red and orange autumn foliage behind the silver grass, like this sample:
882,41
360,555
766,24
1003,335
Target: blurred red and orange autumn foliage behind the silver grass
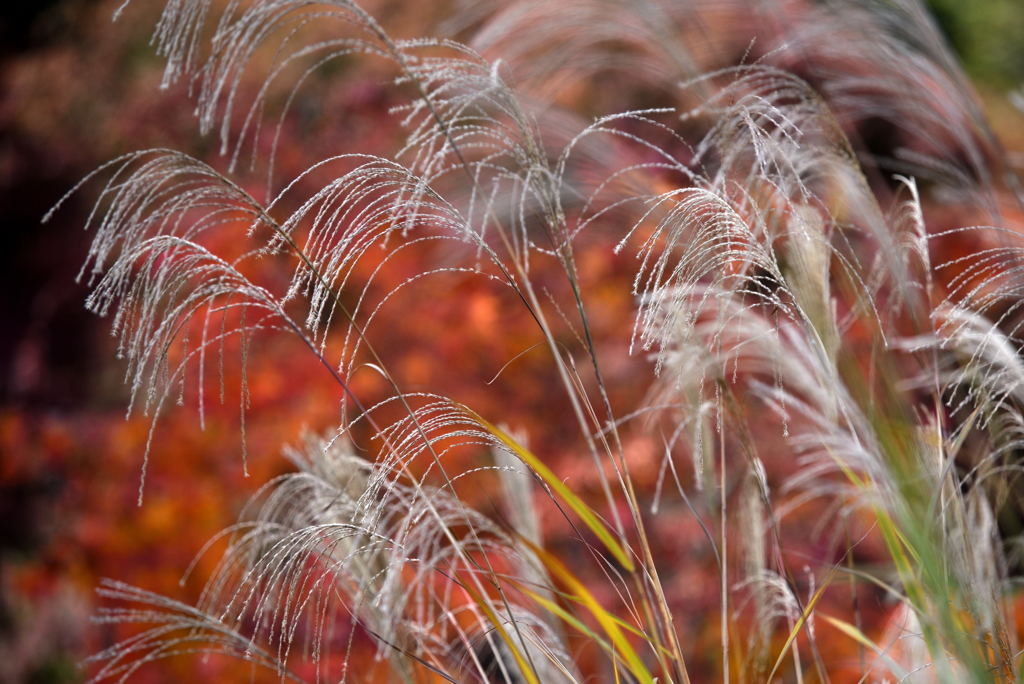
78,90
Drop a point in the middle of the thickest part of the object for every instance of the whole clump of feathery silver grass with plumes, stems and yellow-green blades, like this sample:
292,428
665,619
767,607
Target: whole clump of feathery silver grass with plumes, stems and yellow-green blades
788,311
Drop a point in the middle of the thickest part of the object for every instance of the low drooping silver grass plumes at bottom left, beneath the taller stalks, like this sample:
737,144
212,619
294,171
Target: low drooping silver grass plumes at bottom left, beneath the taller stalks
342,542
